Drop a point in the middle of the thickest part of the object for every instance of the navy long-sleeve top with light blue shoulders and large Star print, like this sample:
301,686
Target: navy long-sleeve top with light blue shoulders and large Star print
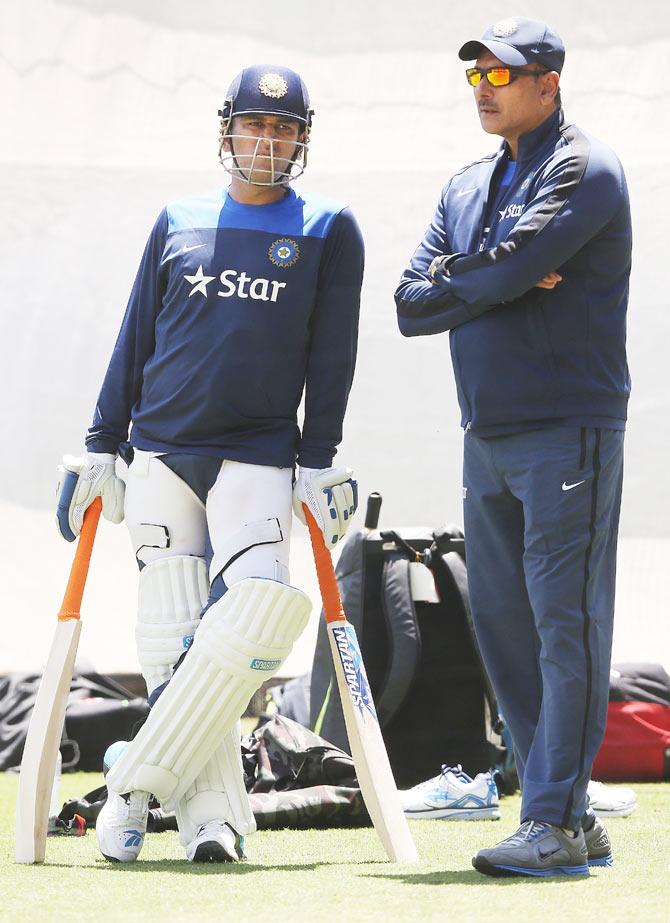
236,309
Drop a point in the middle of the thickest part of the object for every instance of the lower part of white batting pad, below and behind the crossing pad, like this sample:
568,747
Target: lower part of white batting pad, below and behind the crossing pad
218,793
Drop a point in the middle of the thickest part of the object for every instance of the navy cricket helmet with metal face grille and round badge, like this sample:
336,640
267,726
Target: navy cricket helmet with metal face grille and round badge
265,90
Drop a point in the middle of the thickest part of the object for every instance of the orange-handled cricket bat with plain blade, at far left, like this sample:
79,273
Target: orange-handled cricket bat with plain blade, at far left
46,723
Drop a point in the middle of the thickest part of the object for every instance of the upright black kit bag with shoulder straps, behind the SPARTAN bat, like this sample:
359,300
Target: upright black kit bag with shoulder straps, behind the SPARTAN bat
433,699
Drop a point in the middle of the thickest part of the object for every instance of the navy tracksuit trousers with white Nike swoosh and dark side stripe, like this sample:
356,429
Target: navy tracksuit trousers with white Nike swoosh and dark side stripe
541,512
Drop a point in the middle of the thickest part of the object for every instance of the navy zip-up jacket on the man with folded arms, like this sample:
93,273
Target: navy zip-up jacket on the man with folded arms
524,355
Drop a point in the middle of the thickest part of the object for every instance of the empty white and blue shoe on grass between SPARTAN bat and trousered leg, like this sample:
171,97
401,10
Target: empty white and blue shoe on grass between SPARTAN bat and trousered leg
453,795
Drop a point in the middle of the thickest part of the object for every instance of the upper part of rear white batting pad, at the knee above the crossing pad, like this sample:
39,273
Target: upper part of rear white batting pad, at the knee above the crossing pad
172,593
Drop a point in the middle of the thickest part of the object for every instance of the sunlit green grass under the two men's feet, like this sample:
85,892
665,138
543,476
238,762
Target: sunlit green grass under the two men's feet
336,875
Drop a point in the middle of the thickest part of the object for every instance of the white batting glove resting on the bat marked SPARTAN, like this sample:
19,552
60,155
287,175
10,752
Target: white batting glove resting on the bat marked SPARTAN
331,495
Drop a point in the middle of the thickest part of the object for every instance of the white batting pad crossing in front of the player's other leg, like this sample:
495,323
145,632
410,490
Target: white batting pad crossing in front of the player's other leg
242,640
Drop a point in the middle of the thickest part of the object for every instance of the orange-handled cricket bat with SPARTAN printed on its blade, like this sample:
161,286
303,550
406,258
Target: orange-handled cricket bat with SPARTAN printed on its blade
368,750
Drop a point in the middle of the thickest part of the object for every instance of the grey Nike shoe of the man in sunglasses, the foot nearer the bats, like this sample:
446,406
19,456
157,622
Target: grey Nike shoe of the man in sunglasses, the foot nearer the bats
537,849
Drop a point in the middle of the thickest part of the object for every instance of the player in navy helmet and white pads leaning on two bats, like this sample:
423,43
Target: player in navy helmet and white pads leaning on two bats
246,298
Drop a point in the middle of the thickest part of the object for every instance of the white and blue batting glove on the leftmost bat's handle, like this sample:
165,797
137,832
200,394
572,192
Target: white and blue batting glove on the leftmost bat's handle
80,481
